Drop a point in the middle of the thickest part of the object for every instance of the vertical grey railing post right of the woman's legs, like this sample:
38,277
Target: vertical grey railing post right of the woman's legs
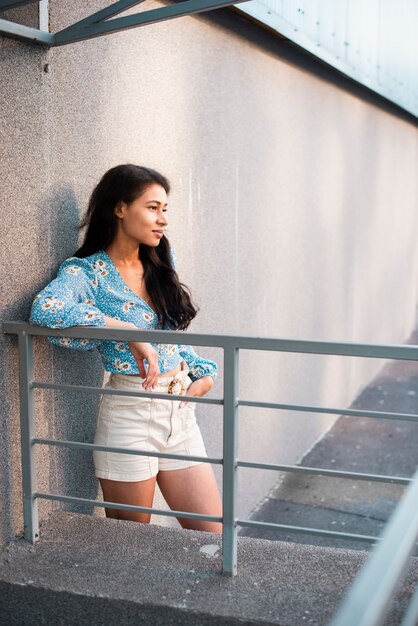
230,454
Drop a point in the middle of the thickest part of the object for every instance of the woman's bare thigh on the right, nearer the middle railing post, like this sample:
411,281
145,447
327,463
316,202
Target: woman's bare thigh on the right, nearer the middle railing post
192,489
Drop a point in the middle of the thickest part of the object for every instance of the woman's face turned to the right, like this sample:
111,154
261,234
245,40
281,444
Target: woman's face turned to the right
144,219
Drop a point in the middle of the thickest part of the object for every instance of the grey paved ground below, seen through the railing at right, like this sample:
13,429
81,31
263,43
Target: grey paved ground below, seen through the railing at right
354,444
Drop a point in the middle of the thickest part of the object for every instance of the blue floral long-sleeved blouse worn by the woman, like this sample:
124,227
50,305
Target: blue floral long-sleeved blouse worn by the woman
87,289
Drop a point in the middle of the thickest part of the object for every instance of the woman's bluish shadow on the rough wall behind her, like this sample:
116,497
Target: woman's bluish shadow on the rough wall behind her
63,414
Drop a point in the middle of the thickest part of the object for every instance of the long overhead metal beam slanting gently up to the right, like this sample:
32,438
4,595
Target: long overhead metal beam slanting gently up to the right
186,7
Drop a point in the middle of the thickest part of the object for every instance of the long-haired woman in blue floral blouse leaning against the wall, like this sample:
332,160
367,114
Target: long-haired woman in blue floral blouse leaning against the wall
124,276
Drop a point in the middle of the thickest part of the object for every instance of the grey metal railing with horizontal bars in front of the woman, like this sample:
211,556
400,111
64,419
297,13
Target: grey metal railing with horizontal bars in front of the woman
231,345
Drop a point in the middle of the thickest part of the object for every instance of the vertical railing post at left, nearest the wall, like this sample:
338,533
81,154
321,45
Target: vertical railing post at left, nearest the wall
27,433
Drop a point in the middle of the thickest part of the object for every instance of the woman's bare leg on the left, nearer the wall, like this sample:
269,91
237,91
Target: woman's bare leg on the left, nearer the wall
138,493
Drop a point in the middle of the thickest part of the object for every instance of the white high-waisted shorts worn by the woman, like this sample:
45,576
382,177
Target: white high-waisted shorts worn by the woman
154,424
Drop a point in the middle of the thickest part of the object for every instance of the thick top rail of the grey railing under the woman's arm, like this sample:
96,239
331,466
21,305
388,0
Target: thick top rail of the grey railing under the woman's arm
366,350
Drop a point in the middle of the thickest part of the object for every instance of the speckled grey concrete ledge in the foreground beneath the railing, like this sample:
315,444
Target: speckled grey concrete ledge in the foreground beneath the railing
92,570
